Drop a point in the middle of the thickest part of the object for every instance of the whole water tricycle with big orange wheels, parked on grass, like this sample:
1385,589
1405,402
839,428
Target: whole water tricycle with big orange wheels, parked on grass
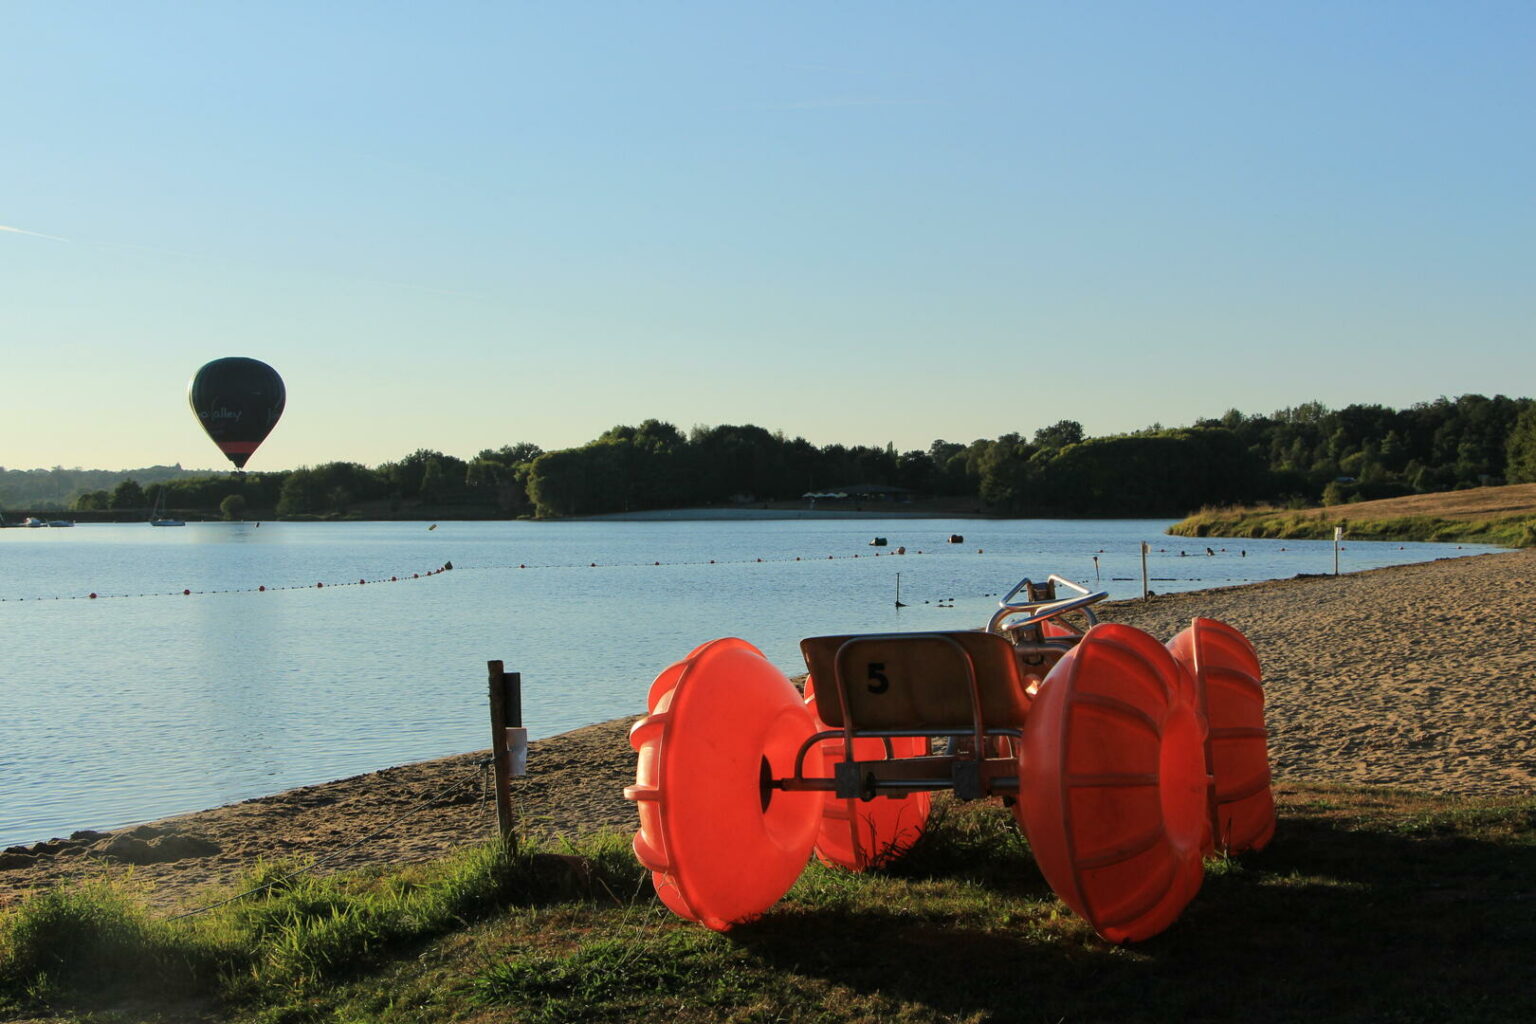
1127,762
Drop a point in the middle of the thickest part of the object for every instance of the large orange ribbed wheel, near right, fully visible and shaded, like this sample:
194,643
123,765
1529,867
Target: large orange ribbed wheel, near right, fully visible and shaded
1113,785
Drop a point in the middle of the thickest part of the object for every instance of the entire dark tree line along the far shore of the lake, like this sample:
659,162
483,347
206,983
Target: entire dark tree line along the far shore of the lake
1297,457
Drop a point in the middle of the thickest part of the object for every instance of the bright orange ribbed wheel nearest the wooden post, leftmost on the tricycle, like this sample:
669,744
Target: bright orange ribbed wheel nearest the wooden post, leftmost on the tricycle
721,844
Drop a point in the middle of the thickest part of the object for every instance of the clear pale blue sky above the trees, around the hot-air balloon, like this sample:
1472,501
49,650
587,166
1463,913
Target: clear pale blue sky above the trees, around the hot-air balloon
468,225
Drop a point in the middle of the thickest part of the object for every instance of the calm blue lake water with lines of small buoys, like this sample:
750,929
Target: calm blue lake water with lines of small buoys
147,702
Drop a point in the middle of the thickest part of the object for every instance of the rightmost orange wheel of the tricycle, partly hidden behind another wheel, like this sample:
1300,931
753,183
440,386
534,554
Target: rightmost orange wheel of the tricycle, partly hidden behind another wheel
1226,675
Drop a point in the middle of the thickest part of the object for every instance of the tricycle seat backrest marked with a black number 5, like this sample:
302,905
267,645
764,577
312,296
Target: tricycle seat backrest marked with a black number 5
916,681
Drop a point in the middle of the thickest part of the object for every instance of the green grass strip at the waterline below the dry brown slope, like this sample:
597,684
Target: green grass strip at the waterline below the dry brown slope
1518,532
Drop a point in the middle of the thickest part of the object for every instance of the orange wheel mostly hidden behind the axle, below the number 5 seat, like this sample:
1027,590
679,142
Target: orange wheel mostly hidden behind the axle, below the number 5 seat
862,834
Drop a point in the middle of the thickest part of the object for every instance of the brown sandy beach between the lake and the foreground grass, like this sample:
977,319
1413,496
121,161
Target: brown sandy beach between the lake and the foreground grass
1418,676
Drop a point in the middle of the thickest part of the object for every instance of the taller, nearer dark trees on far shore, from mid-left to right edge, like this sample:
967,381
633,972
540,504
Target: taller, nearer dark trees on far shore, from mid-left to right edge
1300,455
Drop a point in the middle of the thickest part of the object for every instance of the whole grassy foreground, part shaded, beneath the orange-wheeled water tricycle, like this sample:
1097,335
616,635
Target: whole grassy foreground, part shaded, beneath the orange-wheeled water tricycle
1371,905
